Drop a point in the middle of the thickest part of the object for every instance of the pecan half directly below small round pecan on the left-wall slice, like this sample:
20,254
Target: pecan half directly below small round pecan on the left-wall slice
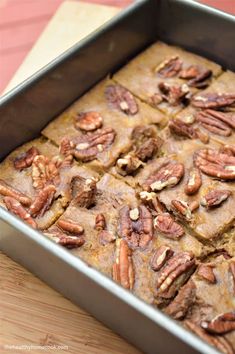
89,146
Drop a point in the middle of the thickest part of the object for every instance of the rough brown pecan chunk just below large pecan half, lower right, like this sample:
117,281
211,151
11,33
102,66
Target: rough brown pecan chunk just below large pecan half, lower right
181,304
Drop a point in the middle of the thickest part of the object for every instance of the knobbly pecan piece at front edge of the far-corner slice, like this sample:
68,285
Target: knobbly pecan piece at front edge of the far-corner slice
174,94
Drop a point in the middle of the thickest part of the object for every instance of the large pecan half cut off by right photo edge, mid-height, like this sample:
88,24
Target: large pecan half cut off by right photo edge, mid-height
215,164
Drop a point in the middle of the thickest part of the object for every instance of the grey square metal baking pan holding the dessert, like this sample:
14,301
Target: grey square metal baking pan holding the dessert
31,105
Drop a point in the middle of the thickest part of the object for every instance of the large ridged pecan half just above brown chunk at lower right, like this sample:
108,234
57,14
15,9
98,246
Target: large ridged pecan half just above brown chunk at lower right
181,263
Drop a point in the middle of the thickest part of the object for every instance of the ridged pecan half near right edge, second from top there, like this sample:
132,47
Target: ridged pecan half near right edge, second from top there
213,124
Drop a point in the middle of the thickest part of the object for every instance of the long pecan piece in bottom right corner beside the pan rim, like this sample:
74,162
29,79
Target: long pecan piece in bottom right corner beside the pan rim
216,341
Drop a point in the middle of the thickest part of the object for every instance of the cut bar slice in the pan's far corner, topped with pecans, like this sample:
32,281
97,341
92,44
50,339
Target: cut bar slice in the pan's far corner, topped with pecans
165,65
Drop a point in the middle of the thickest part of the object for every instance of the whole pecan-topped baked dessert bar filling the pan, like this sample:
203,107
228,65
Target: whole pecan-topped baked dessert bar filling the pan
137,179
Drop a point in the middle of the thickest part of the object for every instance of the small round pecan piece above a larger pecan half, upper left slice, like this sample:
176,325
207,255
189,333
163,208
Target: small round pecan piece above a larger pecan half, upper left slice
88,121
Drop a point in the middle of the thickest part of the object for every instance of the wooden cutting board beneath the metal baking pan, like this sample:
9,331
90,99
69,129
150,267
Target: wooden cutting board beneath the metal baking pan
31,313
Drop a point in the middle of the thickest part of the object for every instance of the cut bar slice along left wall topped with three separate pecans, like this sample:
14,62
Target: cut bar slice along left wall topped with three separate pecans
99,125
